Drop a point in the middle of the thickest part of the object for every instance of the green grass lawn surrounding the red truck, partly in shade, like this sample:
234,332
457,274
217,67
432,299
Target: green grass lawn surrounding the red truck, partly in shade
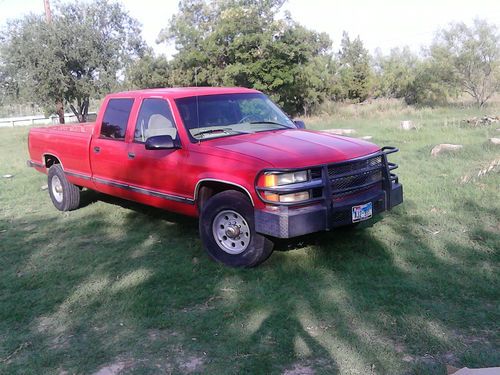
115,283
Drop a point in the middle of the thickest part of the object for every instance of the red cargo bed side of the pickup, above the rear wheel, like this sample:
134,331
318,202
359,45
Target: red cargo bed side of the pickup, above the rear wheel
69,143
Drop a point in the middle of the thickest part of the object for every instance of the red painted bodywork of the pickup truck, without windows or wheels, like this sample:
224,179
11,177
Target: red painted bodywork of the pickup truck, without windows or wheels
169,178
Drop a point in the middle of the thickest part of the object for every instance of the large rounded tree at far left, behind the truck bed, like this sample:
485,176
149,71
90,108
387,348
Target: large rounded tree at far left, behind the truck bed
77,56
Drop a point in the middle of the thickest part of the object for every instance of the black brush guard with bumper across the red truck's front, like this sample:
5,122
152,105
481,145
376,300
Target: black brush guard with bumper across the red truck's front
334,189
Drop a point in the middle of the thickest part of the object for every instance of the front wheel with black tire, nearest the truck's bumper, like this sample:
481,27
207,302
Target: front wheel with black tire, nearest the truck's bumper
227,230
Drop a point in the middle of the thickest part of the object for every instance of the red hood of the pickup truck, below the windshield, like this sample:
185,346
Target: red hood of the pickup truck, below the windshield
295,148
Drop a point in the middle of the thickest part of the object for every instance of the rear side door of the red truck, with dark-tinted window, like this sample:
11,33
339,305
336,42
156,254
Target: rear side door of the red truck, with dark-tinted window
108,149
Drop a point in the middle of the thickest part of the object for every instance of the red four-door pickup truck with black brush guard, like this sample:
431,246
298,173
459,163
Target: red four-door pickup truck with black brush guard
229,156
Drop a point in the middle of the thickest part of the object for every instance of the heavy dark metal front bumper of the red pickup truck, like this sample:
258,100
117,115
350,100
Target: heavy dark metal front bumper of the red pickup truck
285,221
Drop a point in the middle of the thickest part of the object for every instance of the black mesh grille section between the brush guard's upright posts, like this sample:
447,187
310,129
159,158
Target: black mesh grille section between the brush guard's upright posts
358,176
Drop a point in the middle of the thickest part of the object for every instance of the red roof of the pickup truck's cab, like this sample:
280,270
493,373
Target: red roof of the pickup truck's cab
182,92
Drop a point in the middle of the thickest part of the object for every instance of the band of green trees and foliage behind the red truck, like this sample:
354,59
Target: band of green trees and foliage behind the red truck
92,48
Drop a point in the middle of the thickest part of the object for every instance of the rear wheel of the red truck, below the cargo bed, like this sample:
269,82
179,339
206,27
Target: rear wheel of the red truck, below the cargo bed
64,195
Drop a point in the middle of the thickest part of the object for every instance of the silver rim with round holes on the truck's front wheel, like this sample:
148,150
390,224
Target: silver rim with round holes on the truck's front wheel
231,231
